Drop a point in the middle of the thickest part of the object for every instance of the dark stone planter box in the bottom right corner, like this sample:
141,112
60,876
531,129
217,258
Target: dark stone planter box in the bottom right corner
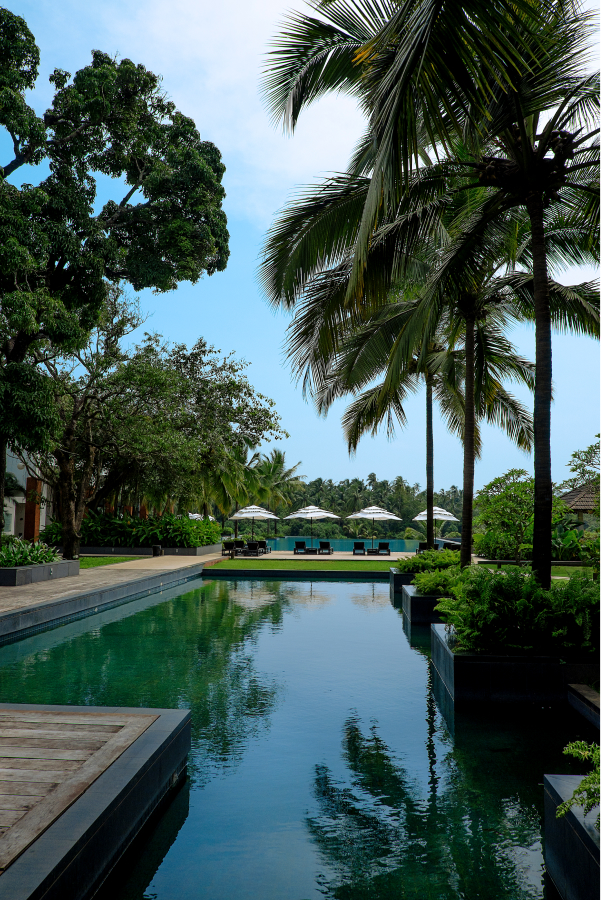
571,842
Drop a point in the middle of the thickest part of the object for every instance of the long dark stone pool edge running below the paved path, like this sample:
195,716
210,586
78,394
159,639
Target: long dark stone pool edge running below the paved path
18,623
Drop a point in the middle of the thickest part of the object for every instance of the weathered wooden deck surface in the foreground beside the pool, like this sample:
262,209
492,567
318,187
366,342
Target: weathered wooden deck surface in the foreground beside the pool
47,760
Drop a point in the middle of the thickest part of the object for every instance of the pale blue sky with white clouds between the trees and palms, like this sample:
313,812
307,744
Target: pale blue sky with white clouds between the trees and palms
210,56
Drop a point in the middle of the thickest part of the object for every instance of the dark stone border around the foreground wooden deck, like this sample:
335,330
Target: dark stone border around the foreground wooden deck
74,855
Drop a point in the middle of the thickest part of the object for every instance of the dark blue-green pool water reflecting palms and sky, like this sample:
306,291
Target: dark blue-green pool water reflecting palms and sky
321,765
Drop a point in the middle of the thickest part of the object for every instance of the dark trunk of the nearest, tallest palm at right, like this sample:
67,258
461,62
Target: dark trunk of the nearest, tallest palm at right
543,486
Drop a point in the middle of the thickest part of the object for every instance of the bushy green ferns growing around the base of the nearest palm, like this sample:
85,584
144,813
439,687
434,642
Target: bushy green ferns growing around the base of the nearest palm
508,612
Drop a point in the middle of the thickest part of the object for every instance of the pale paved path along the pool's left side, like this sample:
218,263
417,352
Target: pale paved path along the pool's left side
14,598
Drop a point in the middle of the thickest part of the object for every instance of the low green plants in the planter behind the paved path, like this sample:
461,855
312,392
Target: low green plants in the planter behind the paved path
99,530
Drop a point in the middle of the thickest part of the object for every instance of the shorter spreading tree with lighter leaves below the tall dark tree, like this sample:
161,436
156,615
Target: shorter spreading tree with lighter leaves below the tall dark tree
149,421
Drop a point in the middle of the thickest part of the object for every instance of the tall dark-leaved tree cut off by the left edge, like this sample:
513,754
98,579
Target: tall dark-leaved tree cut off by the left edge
59,248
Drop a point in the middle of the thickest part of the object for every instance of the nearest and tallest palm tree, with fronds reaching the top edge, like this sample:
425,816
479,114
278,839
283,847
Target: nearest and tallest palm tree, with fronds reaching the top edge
424,79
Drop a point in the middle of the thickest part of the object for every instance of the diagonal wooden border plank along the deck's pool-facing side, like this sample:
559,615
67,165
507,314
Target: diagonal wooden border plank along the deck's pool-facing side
36,820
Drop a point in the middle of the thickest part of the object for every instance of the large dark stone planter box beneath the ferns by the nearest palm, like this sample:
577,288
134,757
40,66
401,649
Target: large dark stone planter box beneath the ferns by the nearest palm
477,677
